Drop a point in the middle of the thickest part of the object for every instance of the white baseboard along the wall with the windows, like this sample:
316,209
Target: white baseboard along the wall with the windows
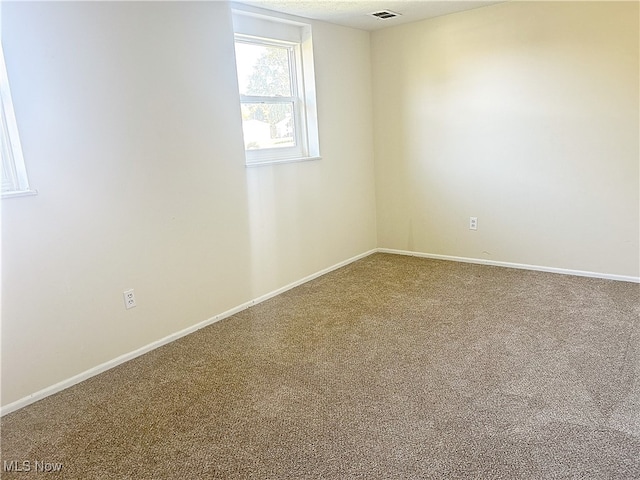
58,387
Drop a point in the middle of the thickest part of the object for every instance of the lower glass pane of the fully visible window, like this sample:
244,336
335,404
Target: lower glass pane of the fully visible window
268,125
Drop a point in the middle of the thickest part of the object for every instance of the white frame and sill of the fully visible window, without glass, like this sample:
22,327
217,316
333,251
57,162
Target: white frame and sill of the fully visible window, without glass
260,29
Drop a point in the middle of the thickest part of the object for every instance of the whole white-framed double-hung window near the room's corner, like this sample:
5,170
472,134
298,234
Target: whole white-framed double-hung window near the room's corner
276,83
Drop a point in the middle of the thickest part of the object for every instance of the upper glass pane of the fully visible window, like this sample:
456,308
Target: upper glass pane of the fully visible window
263,70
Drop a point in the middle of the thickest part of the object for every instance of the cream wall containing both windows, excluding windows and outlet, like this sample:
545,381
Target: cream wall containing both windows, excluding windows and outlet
130,125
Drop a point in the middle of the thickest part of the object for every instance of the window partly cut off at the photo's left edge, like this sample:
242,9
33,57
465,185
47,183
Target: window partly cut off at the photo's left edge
14,174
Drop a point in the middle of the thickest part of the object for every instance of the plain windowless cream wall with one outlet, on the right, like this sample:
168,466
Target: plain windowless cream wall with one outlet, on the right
524,114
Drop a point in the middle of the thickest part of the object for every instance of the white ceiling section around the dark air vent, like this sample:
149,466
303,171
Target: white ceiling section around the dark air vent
356,13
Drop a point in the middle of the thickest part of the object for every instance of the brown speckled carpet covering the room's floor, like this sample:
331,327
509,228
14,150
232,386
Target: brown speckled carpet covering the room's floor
391,367
